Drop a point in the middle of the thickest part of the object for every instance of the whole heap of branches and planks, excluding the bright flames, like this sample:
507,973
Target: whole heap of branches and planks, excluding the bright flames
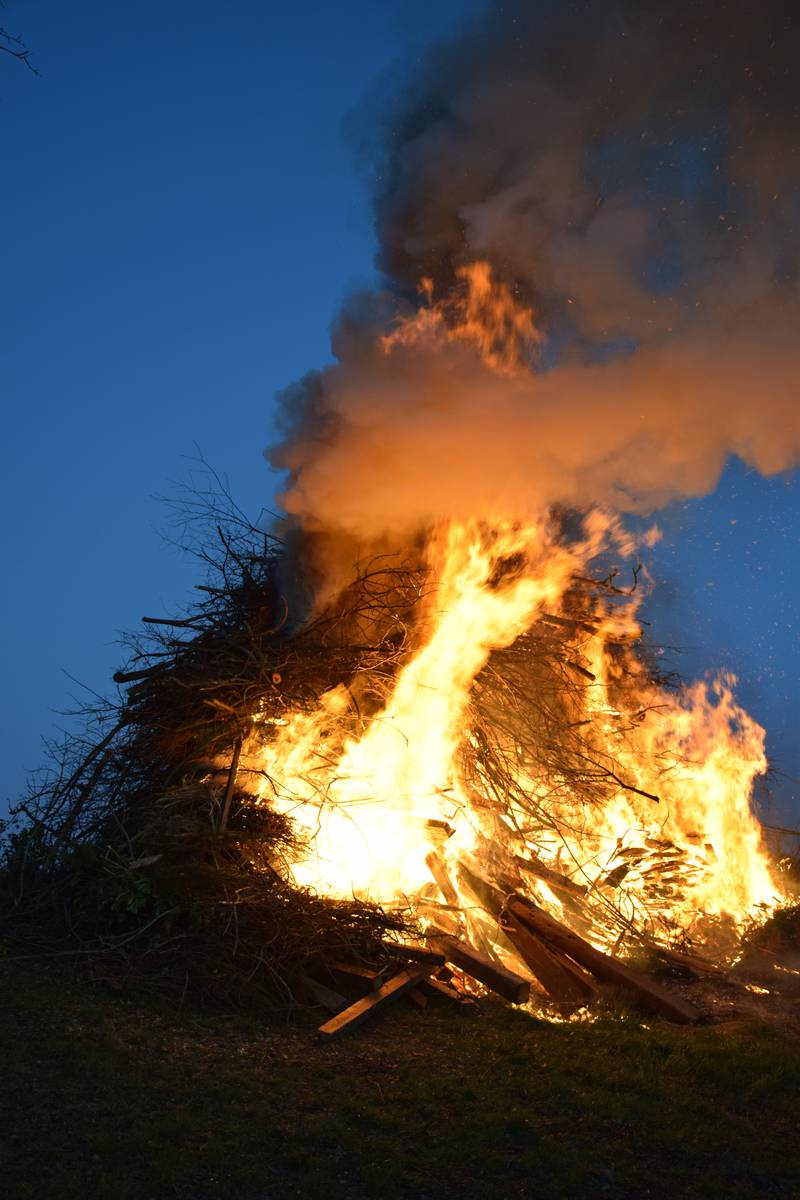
145,848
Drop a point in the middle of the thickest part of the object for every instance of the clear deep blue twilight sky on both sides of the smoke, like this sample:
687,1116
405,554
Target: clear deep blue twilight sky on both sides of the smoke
183,212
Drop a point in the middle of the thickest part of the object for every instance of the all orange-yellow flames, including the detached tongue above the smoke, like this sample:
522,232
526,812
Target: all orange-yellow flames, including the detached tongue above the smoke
402,806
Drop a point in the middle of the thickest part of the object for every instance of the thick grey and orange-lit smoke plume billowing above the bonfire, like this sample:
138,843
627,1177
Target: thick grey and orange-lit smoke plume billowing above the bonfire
629,171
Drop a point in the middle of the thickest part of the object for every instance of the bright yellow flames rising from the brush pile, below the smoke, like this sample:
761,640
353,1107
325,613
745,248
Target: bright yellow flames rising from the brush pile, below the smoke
679,824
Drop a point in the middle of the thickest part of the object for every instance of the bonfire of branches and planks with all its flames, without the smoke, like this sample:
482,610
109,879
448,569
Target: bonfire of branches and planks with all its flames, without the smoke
460,770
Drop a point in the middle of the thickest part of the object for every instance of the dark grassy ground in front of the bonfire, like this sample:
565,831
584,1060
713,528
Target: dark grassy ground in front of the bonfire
103,1096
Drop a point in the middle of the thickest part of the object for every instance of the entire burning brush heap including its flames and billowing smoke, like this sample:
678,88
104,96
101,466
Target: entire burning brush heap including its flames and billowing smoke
417,740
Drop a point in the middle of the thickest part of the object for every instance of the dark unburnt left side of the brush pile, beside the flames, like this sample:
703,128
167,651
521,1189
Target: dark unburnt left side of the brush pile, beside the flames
139,849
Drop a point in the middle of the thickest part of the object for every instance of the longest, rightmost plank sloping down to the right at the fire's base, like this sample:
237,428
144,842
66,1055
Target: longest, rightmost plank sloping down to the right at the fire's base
604,967
